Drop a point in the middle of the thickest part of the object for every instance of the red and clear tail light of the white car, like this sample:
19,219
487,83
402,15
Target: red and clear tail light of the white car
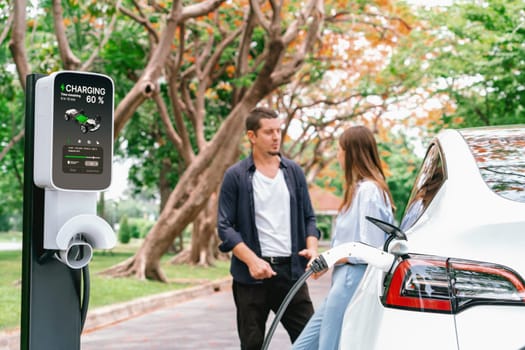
434,284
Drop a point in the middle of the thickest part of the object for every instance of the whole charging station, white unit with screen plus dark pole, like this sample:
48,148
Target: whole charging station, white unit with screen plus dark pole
68,161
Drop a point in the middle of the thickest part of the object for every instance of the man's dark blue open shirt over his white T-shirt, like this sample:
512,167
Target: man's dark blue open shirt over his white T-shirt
236,217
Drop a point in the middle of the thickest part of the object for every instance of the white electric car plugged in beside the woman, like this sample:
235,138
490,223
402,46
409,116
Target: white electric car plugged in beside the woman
461,285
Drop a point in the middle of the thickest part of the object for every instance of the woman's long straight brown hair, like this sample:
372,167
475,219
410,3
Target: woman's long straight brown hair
361,162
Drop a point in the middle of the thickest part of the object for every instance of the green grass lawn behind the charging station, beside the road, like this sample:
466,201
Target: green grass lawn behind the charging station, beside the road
104,290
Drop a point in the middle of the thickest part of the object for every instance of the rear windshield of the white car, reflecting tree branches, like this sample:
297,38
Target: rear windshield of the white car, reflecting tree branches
500,156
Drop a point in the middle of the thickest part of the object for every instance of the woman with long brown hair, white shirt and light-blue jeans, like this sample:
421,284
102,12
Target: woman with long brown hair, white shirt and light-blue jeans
366,194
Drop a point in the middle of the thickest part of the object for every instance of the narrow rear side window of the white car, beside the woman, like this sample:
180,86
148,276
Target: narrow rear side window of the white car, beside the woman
429,180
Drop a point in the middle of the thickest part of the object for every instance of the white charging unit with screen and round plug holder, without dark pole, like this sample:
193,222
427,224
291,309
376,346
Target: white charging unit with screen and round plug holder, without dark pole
73,161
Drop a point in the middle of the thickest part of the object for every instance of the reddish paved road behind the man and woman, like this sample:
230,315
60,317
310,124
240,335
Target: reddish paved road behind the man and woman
203,323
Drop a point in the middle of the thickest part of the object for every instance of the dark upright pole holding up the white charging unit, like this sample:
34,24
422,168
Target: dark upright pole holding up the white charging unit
50,317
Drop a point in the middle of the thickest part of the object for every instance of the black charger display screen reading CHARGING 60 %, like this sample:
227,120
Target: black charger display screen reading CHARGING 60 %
83,131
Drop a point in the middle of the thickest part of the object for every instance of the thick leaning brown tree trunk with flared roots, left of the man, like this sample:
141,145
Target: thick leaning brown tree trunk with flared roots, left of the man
189,197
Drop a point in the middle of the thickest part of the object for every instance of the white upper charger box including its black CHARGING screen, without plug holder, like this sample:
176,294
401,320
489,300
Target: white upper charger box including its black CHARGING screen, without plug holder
73,131
